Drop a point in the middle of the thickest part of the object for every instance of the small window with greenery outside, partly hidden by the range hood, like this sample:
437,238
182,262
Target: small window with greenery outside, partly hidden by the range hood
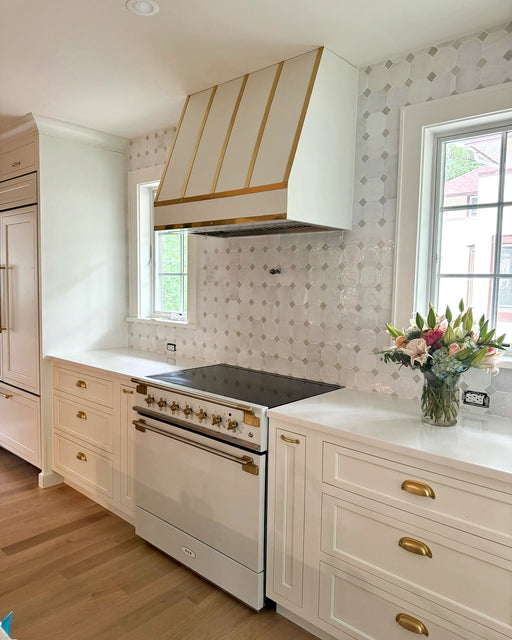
162,263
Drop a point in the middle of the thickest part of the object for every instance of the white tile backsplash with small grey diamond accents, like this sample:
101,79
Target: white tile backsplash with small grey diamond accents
322,317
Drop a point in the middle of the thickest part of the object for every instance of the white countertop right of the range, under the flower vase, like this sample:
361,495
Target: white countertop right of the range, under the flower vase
477,444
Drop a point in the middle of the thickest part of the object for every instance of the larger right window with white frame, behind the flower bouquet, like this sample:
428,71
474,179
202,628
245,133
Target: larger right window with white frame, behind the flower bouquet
460,133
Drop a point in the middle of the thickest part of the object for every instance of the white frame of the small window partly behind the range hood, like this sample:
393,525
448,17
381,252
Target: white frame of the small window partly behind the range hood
141,184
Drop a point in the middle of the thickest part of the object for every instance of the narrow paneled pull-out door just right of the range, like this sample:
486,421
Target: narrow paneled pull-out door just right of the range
288,481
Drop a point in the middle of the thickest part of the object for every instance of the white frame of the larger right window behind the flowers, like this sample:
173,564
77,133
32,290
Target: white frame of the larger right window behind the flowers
420,127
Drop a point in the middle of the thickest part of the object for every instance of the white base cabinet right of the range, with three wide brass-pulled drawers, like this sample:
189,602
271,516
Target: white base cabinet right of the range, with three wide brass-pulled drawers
363,545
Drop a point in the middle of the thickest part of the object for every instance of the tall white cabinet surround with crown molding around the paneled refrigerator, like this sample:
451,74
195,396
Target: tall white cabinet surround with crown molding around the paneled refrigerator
64,288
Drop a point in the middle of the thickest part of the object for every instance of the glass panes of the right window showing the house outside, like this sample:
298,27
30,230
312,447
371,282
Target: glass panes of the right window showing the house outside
473,227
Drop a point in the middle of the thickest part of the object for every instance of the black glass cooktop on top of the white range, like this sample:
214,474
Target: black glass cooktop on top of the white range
256,387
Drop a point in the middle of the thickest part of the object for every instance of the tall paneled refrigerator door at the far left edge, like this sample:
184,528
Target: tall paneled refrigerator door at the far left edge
19,314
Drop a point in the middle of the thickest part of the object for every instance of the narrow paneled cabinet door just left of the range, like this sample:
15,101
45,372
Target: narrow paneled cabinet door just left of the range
127,448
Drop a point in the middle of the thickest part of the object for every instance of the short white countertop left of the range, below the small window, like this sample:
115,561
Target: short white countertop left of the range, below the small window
127,362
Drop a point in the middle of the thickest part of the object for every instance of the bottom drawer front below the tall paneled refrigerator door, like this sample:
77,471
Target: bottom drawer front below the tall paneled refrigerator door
20,424
